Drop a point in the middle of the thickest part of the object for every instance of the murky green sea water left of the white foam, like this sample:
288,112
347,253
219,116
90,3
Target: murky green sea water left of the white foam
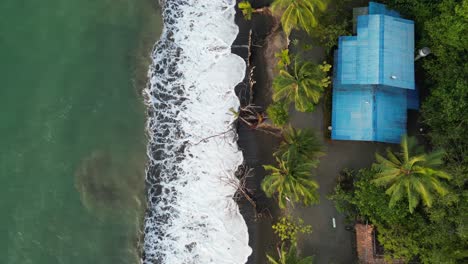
72,141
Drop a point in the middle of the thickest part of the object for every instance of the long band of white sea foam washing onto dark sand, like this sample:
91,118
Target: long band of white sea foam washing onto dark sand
191,216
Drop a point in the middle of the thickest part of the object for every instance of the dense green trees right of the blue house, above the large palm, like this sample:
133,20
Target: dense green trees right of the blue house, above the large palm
441,26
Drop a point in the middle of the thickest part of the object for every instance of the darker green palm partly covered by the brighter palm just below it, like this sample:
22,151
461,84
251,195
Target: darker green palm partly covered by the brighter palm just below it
300,144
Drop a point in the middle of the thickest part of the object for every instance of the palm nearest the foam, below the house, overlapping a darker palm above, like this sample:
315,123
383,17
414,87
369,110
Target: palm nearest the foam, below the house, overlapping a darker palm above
290,181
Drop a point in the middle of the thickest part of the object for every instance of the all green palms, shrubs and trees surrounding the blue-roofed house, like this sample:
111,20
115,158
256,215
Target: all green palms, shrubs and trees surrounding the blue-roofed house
419,213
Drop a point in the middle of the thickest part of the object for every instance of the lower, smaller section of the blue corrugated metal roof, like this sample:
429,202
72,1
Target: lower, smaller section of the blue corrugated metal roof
369,113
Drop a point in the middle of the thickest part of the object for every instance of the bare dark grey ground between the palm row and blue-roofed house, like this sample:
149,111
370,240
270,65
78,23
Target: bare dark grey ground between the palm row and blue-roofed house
328,244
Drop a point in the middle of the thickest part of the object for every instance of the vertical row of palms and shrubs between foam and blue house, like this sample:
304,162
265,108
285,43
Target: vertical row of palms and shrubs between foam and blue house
301,83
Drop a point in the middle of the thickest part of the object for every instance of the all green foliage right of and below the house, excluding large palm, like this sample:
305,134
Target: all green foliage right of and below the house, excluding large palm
436,234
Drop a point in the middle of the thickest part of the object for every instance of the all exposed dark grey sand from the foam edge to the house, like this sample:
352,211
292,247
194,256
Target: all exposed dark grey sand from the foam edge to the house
328,245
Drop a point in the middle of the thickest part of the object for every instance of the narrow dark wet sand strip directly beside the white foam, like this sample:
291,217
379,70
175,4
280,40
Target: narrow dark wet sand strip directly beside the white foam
257,147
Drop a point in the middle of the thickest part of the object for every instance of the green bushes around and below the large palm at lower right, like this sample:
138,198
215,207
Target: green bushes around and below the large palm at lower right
405,235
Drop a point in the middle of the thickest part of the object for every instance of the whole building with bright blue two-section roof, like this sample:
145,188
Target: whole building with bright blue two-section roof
373,84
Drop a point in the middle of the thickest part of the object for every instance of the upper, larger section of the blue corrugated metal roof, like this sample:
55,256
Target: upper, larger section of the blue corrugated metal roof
381,53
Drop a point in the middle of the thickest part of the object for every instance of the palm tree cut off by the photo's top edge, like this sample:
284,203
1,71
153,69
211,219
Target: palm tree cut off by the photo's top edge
298,14
